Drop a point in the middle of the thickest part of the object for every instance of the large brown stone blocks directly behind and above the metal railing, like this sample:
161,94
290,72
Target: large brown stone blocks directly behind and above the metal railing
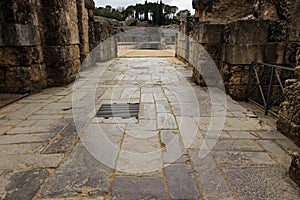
251,40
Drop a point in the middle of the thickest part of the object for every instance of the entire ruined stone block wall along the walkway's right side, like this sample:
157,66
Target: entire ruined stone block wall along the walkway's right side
234,44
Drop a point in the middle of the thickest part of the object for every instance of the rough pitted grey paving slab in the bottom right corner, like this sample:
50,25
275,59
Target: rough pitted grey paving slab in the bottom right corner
256,183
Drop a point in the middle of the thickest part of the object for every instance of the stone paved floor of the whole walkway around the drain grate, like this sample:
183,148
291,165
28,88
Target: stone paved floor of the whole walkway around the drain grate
153,157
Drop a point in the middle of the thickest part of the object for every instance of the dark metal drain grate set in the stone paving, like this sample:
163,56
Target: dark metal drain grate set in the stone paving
119,110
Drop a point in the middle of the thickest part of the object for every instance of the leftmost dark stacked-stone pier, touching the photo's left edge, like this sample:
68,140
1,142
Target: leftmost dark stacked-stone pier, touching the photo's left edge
22,66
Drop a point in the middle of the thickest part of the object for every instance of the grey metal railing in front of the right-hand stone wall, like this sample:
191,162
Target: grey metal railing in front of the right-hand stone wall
265,83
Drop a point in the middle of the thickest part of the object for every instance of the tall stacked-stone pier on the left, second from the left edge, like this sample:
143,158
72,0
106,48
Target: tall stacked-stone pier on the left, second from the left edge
59,23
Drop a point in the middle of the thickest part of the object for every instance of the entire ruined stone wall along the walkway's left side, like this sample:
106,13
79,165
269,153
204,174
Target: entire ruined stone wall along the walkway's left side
42,43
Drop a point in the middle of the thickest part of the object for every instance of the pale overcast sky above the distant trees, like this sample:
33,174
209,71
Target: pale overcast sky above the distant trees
181,4
